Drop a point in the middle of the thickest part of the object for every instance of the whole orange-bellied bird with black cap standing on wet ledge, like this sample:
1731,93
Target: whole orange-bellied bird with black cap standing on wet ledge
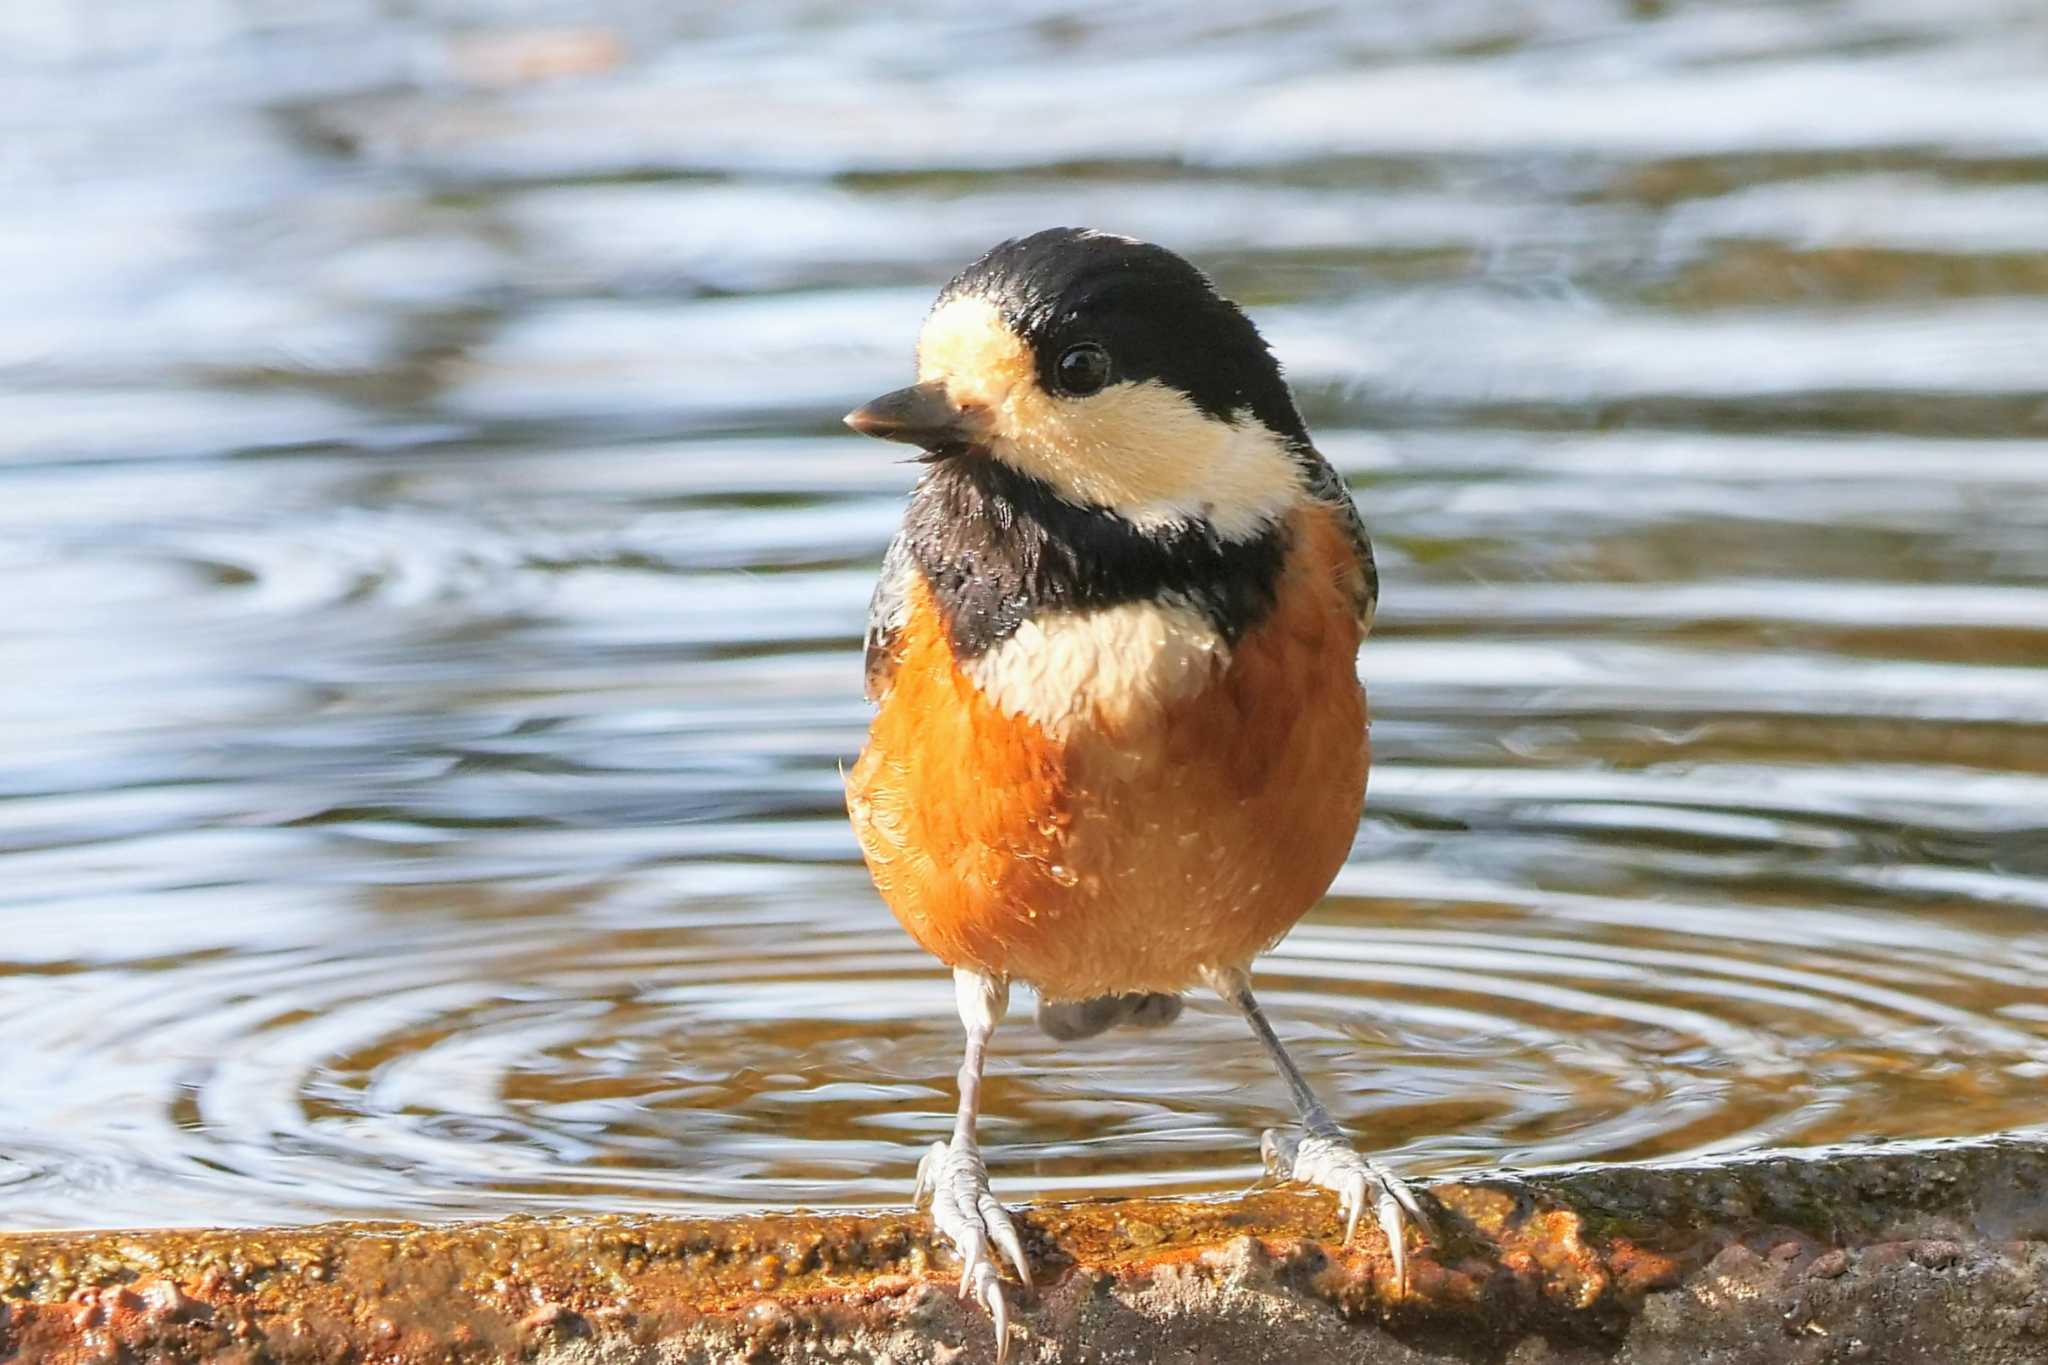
1119,740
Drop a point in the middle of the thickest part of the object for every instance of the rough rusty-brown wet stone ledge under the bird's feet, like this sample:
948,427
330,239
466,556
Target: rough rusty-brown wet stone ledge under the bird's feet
1916,1253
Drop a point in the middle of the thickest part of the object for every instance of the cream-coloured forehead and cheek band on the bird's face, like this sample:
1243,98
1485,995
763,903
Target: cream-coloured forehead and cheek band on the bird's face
1142,449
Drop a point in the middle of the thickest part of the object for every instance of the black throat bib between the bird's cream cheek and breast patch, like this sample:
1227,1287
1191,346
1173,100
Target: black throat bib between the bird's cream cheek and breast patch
996,547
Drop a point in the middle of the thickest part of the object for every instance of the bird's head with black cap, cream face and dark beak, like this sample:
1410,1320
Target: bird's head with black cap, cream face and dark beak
1113,373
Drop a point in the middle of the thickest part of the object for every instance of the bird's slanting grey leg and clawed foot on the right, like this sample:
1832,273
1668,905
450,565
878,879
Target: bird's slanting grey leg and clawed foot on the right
1322,1155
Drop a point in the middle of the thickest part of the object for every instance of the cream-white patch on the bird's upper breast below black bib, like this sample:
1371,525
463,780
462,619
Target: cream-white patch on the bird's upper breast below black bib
1107,668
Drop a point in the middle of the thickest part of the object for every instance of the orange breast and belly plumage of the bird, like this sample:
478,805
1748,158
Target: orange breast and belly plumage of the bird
1129,850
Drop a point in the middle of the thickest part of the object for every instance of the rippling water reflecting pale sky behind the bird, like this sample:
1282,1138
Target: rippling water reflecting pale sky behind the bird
435,580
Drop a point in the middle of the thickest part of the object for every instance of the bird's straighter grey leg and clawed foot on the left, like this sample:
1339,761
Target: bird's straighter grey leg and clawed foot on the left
964,1208
